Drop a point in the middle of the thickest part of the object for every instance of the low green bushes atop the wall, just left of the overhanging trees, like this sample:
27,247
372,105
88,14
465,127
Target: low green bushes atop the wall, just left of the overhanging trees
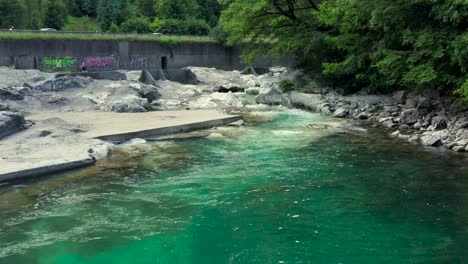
182,27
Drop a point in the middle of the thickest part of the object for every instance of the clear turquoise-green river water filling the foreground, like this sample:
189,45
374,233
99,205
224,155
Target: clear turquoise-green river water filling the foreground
277,192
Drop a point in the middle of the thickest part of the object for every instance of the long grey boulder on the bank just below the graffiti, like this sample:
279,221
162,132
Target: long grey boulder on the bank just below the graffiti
64,83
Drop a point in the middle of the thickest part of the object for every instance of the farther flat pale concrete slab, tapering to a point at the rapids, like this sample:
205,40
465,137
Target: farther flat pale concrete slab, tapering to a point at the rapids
120,127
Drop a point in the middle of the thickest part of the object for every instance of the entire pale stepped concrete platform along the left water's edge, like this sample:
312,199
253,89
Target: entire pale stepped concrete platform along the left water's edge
62,141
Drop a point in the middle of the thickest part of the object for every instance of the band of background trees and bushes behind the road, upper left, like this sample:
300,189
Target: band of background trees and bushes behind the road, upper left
197,16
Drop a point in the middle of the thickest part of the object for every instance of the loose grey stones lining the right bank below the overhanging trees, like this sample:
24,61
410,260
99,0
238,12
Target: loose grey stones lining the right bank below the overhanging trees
422,118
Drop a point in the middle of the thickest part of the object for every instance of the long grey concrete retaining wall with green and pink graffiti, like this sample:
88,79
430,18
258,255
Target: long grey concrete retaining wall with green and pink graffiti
69,55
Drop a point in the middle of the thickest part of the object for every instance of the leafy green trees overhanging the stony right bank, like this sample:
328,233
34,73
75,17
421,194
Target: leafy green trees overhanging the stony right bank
379,44
